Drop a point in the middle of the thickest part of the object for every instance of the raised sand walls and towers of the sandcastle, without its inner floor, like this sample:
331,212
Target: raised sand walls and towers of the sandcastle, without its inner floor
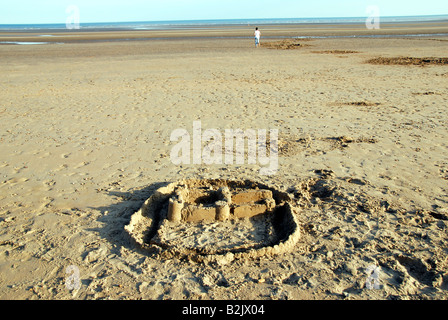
196,201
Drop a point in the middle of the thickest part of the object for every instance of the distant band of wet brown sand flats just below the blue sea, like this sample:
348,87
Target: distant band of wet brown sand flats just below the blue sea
271,31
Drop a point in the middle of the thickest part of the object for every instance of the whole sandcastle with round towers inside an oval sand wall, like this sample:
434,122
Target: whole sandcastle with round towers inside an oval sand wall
206,220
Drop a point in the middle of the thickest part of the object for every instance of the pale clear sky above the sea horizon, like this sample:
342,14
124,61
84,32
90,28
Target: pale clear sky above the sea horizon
54,11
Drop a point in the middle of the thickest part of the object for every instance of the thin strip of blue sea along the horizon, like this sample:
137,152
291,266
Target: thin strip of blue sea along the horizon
181,24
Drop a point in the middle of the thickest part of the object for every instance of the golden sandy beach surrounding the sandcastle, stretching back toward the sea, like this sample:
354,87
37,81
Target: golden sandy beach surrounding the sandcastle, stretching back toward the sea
85,139
